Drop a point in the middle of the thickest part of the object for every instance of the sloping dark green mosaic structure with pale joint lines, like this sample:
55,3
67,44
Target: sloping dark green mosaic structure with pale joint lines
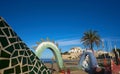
15,56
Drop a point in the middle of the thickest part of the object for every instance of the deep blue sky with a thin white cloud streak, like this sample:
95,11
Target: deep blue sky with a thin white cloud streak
62,20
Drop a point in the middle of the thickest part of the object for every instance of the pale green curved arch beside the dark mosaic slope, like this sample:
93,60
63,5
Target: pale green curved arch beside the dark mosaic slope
53,47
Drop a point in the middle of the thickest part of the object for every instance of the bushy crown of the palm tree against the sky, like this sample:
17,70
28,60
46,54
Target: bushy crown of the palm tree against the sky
90,39
